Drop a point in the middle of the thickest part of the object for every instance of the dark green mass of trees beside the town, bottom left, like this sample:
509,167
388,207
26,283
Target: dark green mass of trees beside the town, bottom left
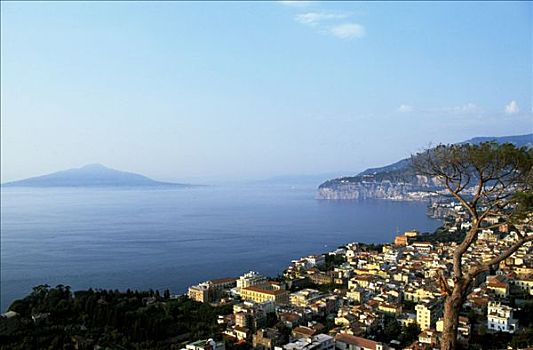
112,319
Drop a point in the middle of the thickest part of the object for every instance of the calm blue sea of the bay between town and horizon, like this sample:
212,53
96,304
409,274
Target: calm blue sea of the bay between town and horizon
158,239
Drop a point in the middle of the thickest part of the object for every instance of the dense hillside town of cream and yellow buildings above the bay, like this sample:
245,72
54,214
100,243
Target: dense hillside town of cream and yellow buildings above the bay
379,297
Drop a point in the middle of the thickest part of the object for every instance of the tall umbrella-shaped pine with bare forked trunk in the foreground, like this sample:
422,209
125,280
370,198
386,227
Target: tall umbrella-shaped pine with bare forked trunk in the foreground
488,180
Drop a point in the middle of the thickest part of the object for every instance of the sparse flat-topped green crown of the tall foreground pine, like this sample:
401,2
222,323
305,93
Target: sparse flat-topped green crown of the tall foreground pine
501,174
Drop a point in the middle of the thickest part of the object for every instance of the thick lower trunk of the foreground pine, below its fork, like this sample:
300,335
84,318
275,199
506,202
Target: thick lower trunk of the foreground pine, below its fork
452,308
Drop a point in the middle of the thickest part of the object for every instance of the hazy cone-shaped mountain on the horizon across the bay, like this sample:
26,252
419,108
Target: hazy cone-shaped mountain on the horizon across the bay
92,175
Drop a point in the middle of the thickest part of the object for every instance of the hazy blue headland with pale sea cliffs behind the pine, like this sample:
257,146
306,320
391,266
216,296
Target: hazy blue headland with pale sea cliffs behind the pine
397,180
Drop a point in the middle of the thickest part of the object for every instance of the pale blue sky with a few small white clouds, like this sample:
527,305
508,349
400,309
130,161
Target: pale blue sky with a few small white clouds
248,90
